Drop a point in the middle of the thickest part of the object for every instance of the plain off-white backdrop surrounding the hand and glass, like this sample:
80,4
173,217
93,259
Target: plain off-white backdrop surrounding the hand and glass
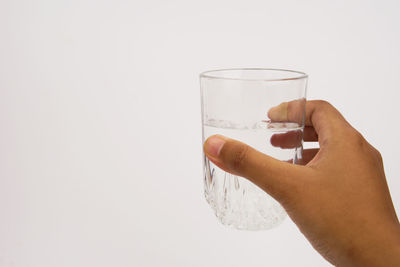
100,135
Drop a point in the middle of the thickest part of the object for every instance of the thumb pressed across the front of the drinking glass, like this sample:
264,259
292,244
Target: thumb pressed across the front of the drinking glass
275,177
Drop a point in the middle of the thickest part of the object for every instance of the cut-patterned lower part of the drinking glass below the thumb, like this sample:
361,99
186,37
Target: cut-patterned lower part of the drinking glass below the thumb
239,203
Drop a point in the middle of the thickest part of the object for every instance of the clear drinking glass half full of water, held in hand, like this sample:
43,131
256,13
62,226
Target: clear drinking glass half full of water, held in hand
235,103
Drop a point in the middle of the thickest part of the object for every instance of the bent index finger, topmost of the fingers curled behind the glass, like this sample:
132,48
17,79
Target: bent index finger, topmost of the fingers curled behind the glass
321,115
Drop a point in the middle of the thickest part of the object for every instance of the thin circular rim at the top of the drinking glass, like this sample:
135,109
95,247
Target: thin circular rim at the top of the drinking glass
209,74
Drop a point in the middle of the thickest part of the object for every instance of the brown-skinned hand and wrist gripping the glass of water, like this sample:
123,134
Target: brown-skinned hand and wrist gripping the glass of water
339,199
